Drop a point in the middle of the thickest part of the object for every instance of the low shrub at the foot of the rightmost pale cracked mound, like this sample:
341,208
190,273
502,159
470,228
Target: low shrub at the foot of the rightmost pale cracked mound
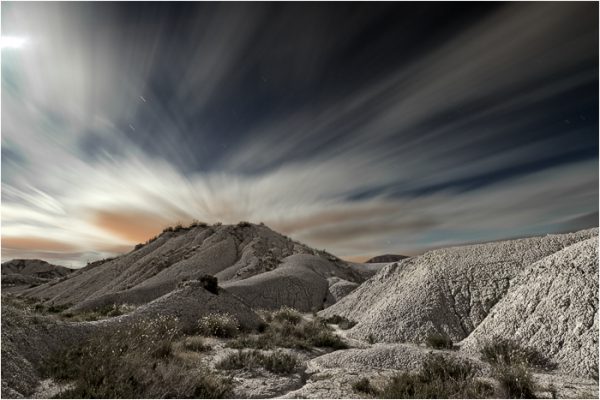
499,351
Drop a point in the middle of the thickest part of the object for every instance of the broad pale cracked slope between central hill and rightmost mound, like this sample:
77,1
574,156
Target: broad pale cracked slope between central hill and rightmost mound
449,291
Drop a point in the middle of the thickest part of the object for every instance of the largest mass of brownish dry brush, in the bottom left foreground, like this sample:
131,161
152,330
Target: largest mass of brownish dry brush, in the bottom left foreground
133,361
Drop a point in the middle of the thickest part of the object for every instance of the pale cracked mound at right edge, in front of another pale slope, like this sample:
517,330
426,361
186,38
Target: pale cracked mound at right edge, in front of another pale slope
552,307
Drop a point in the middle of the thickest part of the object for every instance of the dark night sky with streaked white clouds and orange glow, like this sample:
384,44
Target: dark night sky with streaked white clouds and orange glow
359,128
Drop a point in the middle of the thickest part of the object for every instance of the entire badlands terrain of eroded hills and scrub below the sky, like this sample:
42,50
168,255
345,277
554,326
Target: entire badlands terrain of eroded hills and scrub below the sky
241,311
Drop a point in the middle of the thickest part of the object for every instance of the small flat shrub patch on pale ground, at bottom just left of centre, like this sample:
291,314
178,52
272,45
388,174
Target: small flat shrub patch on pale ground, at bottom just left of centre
277,362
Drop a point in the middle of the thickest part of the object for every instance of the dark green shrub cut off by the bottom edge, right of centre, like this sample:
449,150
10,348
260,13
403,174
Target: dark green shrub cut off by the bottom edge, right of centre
439,377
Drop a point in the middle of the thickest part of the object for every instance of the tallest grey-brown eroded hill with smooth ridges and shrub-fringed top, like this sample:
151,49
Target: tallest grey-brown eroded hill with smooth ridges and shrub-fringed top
235,254
